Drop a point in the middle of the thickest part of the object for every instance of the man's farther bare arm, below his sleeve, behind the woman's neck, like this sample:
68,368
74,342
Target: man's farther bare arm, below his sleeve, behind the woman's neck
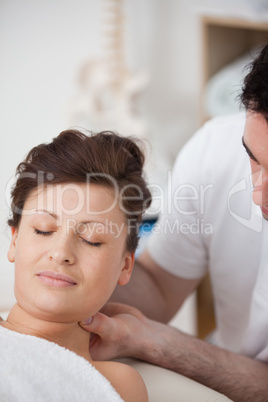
154,291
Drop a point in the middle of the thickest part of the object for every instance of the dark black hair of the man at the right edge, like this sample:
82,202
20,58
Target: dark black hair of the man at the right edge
254,94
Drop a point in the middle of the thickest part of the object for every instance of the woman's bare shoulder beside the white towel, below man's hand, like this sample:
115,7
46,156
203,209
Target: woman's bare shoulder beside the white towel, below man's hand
125,379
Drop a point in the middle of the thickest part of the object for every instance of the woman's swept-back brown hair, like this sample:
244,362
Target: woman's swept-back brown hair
105,158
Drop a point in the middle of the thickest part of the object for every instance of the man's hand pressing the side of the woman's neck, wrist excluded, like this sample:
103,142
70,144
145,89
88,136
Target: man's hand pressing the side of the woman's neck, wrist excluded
117,331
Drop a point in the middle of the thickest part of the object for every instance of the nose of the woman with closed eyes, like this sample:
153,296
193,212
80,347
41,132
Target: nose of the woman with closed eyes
61,252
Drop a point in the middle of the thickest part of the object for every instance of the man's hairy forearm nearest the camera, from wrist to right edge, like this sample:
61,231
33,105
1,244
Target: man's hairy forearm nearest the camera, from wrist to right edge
238,377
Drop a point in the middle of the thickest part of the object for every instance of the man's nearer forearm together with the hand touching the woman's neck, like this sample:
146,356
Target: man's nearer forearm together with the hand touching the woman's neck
124,331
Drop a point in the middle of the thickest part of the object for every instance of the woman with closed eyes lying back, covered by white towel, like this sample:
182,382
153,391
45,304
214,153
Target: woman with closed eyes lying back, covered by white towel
76,207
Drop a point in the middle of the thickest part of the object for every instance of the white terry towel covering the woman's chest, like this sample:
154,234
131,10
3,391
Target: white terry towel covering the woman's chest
36,370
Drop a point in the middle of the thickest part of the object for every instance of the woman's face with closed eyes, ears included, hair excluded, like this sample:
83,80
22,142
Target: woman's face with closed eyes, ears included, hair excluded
69,251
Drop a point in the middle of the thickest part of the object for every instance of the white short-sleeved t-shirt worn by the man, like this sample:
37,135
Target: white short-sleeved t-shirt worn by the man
210,222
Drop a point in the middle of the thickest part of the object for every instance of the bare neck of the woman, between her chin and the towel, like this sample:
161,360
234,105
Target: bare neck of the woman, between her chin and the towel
69,335
